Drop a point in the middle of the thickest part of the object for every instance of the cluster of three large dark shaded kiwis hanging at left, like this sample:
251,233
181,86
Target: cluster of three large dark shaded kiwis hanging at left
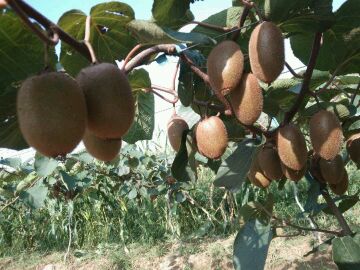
55,111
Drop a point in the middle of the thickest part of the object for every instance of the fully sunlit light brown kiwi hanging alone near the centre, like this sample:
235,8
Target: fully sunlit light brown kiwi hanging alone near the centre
211,137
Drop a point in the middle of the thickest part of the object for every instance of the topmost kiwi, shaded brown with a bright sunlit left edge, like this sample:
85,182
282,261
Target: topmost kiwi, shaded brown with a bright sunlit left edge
266,52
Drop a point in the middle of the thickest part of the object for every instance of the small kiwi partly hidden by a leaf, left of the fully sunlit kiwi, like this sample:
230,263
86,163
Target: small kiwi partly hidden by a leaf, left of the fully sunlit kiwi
175,128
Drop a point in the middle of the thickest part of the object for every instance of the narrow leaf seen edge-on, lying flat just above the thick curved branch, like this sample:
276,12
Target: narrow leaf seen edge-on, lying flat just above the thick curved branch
147,32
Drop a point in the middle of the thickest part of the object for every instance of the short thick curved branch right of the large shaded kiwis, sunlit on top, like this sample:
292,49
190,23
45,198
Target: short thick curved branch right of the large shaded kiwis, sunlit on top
139,59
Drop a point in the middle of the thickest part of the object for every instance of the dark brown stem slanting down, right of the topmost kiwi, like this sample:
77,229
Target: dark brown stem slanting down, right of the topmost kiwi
307,78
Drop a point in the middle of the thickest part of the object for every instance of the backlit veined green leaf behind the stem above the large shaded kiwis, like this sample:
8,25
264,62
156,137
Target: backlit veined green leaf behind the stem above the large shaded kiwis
108,35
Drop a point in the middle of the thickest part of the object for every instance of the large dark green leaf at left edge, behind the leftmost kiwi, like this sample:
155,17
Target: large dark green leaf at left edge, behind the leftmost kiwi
21,56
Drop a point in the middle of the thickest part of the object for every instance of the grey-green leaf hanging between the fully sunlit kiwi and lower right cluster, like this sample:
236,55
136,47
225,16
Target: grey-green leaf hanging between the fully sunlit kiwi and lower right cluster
233,170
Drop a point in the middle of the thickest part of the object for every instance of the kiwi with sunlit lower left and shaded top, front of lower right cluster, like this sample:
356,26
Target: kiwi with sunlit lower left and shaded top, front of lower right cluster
291,147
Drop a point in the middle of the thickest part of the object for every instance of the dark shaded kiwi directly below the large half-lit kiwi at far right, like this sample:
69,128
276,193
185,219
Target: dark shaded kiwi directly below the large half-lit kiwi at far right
332,170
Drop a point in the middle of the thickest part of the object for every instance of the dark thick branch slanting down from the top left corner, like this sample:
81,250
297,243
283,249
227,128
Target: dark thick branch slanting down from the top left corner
49,25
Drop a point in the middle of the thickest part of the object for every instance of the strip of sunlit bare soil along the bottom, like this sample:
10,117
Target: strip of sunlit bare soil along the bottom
285,253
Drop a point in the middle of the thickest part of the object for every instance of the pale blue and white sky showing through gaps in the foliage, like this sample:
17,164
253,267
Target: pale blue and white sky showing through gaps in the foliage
201,9
